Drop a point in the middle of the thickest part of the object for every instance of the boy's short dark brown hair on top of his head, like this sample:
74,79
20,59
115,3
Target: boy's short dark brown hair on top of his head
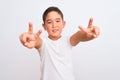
52,8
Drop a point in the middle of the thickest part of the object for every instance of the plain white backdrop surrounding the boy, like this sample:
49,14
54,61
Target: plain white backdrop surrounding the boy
98,59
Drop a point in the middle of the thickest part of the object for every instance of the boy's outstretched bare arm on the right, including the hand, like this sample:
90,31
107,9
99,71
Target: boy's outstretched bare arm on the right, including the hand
85,34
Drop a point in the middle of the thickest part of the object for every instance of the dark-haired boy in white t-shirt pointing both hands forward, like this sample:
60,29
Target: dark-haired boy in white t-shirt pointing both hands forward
55,50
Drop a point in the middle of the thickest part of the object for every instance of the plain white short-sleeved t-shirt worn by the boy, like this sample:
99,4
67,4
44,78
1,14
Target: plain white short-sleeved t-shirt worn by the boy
56,59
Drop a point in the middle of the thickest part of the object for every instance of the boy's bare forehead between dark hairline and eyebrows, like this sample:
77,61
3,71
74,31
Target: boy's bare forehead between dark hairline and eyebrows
53,15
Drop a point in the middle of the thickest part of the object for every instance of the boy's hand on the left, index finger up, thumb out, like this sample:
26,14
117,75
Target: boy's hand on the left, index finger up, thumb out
30,39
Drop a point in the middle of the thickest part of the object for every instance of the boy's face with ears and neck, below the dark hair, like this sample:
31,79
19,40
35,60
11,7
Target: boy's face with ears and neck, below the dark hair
54,25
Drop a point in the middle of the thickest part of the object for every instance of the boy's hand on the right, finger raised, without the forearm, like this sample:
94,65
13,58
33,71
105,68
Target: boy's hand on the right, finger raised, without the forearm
90,32
